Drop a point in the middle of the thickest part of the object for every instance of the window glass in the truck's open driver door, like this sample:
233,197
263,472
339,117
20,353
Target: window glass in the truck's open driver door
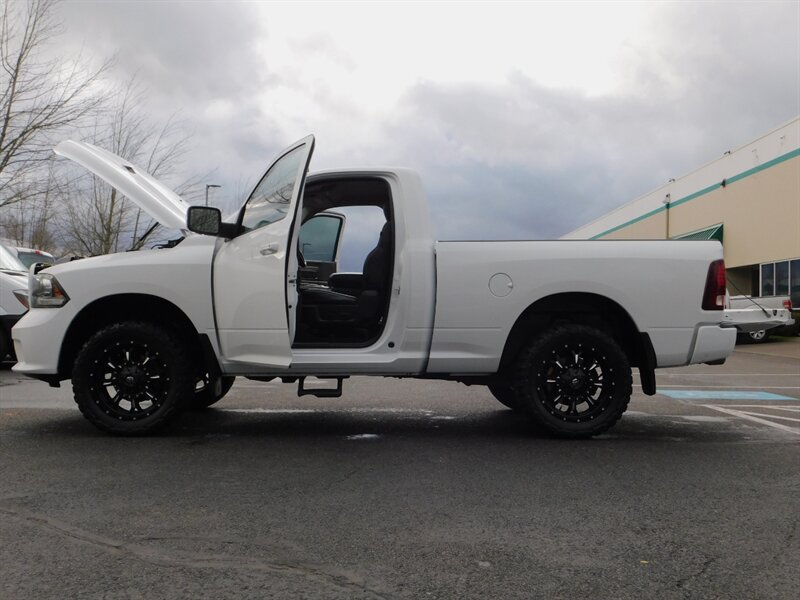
271,200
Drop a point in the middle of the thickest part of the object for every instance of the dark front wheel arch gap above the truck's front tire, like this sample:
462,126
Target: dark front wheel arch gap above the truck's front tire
132,307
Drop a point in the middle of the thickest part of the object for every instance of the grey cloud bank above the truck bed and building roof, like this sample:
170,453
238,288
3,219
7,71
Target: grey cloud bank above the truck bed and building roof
524,161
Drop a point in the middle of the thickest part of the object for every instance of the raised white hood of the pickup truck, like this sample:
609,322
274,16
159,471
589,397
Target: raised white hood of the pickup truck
152,196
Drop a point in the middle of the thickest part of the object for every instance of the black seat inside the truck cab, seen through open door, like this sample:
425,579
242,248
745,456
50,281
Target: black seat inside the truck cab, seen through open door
330,305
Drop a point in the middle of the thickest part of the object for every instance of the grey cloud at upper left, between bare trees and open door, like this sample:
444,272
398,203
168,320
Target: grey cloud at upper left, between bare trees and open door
192,57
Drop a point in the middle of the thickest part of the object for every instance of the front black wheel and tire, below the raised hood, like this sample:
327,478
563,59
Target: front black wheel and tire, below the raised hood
131,378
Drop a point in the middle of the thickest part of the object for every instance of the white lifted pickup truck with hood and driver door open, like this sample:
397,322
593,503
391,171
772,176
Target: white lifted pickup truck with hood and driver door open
551,327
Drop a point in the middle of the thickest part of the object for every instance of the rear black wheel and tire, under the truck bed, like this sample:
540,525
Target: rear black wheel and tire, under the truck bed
574,381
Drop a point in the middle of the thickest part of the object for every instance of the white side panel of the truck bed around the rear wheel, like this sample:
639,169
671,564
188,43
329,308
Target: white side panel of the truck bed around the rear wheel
472,323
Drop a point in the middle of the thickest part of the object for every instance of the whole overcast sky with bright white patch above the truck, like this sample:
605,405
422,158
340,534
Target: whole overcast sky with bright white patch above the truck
526,120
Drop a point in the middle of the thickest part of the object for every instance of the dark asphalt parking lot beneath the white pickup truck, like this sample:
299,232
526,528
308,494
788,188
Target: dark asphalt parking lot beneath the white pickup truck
411,489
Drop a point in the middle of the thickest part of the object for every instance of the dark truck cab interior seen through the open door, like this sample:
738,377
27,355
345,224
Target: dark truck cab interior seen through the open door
342,309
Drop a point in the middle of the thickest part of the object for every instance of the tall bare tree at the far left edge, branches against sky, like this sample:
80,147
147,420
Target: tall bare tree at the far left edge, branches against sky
38,95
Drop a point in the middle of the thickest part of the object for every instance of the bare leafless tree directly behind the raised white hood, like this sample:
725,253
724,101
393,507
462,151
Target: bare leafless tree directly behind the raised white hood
96,218
